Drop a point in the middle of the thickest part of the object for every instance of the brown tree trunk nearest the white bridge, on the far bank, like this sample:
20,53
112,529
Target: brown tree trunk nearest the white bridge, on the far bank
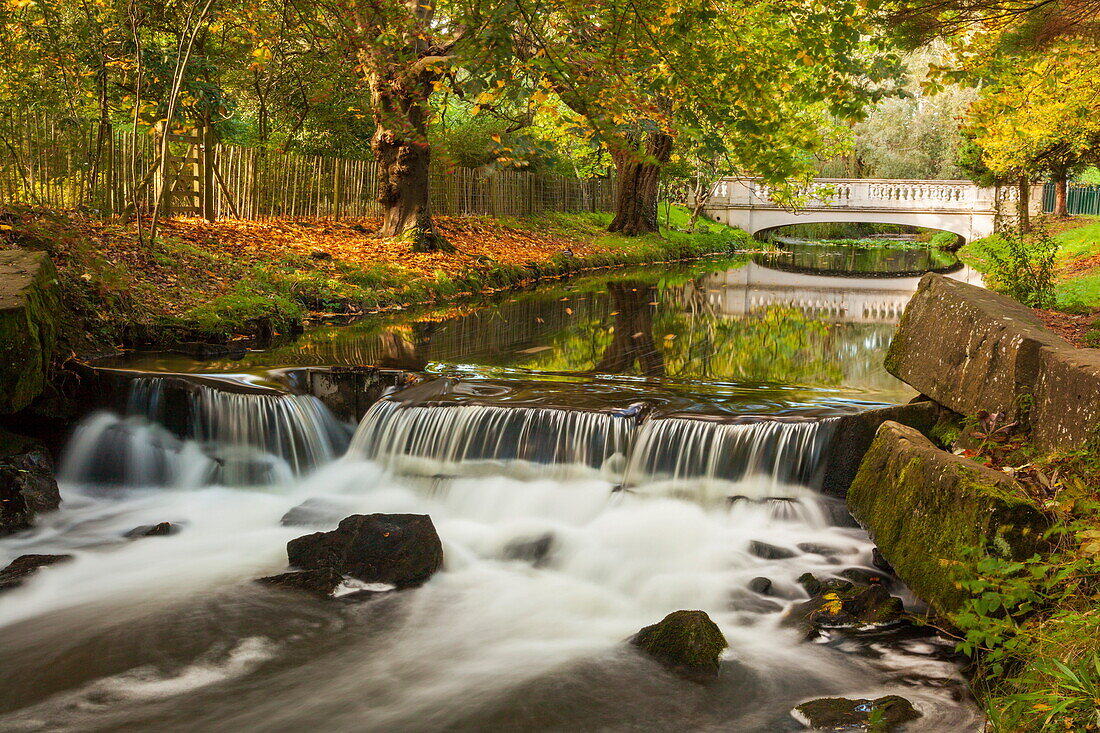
636,189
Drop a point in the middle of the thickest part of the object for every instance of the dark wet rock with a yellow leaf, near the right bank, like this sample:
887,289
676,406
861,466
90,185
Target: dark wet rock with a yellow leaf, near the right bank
837,604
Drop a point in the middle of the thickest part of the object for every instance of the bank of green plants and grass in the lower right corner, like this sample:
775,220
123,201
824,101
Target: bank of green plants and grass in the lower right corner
1033,628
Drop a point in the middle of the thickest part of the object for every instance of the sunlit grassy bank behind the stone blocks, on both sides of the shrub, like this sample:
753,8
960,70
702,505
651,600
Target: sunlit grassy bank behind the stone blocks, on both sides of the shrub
1076,275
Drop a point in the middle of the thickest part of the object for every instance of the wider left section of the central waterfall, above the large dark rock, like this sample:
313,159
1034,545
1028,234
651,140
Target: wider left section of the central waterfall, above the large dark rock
472,440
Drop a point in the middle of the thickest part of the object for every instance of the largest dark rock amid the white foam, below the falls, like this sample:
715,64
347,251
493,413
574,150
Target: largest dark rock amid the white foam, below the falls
401,550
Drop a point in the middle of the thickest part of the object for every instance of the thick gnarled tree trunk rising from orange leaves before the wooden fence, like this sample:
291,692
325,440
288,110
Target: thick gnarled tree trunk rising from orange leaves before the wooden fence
403,155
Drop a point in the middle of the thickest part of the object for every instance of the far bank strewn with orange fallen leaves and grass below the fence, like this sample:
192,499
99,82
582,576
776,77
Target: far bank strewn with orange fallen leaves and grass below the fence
225,281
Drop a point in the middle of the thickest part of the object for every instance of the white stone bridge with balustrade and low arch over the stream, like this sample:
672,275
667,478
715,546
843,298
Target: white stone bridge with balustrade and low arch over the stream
961,207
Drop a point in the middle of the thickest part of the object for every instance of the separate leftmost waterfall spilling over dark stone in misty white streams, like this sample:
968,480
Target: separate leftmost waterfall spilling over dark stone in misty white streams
208,437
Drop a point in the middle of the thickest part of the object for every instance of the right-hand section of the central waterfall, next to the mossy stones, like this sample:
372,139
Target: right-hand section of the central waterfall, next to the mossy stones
765,458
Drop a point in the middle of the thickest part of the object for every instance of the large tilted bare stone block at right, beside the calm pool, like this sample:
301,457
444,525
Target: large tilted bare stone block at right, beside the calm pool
969,348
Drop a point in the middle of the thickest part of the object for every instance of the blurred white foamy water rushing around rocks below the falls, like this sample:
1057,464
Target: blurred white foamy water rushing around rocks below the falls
524,629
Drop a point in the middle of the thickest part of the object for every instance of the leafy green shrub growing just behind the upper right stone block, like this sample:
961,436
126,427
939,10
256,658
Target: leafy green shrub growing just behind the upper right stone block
1022,266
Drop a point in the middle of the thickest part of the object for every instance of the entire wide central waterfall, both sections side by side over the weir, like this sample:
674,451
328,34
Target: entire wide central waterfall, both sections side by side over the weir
768,457
